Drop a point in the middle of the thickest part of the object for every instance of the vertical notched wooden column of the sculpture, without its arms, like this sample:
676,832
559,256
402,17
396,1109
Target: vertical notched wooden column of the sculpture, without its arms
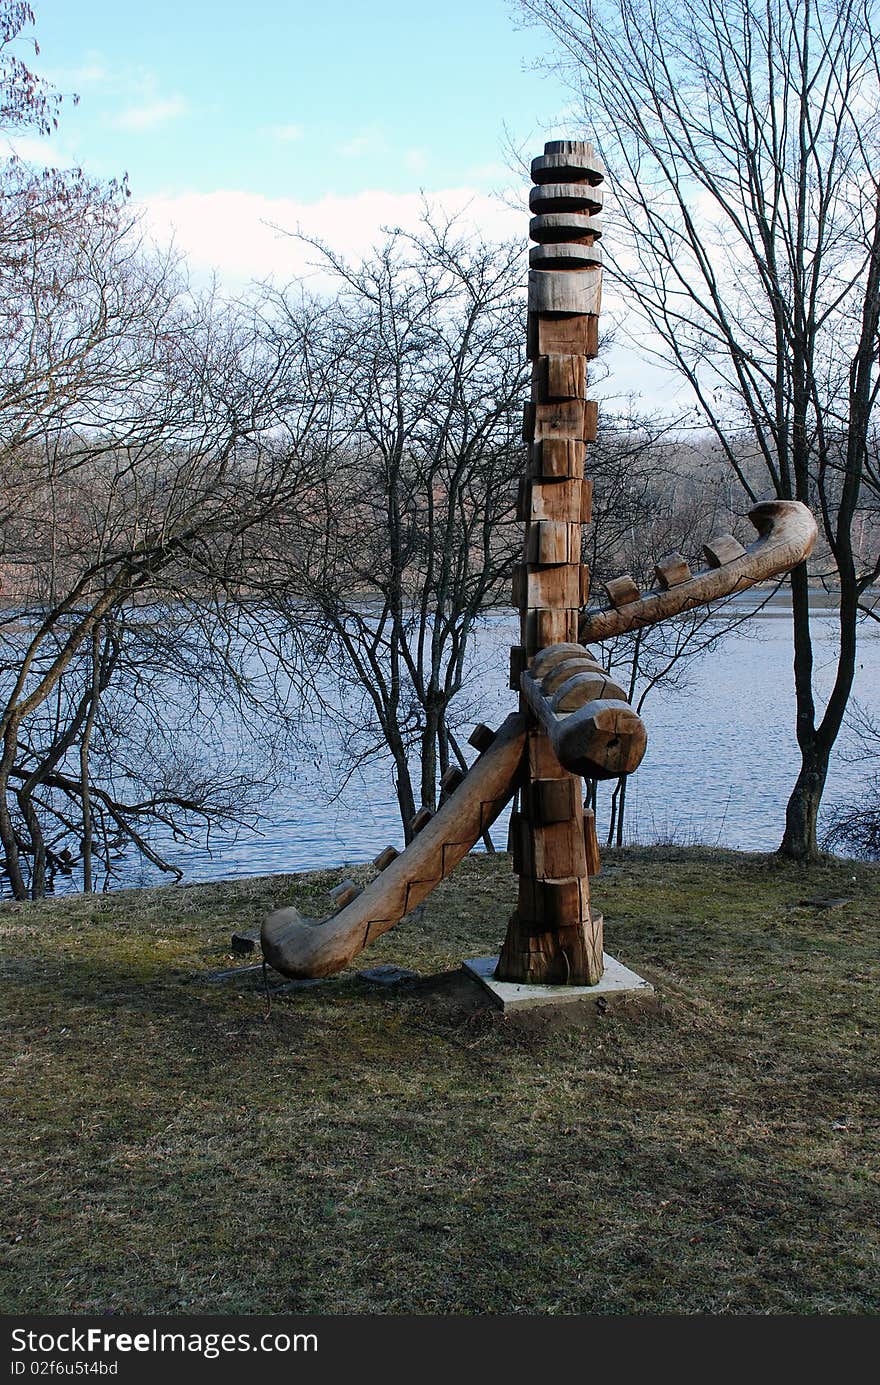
554,937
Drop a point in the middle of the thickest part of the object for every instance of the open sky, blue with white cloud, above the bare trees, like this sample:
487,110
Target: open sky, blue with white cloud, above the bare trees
238,124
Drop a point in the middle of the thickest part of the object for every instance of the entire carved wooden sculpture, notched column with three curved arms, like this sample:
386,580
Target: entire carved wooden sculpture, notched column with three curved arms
574,721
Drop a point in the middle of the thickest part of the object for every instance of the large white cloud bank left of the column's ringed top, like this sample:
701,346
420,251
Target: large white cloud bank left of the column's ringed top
242,235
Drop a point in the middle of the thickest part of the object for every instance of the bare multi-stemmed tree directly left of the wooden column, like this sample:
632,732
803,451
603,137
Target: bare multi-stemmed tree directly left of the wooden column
410,534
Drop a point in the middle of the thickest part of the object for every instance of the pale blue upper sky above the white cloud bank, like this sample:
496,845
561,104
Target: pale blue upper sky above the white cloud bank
294,99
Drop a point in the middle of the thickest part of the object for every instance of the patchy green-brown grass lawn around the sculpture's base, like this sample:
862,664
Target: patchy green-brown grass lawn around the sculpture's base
170,1147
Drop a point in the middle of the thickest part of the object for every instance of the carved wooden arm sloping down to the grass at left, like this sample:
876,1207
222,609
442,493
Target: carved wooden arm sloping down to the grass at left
300,948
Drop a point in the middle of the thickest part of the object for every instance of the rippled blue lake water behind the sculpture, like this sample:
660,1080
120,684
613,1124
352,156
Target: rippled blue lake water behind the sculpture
719,771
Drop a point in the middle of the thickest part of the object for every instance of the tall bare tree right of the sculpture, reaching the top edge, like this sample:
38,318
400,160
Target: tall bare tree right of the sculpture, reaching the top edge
743,143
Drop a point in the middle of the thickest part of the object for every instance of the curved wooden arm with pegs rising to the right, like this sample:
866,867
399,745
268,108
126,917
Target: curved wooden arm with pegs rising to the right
786,537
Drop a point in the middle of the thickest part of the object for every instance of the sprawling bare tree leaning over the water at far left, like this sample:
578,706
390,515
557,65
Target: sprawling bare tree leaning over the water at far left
141,448
